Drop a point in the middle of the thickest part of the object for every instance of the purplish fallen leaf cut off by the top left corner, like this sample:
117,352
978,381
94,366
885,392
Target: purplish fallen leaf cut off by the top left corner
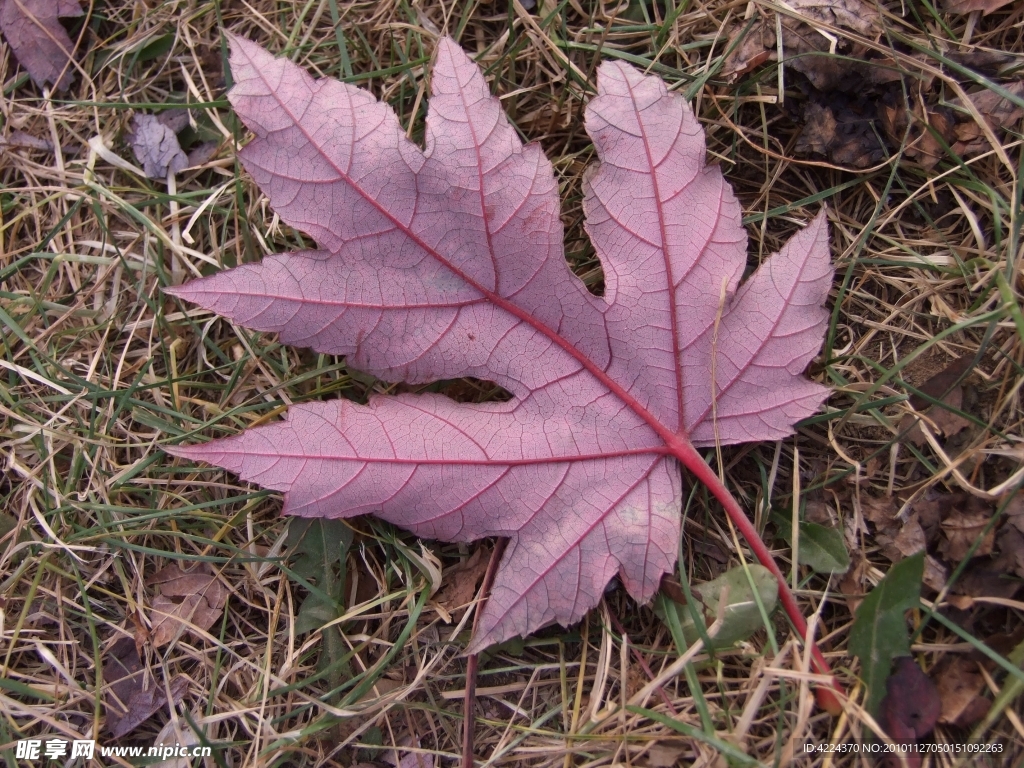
38,40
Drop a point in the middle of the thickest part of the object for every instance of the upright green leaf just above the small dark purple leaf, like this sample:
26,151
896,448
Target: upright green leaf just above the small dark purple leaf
879,634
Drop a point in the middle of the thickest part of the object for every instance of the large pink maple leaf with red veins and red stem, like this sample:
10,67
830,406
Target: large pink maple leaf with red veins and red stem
449,263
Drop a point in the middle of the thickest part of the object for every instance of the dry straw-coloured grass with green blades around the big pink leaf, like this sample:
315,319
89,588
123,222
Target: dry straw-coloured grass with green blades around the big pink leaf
100,368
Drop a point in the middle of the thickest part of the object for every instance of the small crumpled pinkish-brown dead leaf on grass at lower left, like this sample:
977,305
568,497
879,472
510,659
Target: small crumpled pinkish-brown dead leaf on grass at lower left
188,601
